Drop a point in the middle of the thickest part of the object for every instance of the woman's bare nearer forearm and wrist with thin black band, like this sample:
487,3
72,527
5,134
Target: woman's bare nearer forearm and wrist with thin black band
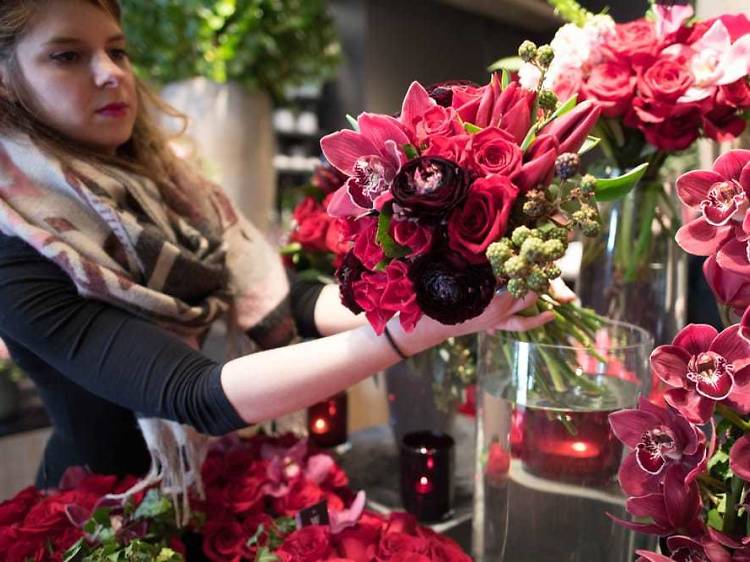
270,383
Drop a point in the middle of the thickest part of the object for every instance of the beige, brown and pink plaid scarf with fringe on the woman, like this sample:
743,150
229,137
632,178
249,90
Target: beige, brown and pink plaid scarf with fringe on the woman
180,256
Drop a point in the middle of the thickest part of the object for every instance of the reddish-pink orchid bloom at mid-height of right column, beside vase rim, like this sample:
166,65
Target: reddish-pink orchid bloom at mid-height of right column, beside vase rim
705,367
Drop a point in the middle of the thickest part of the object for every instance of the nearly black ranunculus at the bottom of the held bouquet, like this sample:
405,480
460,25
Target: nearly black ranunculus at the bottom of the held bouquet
450,289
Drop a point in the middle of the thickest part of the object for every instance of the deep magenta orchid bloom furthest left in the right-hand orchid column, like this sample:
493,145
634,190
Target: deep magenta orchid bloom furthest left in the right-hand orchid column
660,438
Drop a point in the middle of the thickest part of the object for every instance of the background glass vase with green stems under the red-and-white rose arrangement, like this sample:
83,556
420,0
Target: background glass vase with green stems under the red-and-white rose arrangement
635,272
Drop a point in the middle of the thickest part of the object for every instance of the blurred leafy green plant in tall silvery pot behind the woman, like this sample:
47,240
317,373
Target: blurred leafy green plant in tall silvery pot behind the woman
223,63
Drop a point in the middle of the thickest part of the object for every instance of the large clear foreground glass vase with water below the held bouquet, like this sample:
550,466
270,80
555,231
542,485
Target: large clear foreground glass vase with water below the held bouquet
546,459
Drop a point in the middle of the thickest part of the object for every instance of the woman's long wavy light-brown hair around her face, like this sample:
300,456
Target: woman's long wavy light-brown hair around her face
146,152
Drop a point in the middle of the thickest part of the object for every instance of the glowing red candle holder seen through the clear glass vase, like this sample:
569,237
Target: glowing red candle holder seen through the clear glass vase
583,450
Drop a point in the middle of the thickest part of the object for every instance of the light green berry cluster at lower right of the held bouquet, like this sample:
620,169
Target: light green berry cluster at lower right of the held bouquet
526,259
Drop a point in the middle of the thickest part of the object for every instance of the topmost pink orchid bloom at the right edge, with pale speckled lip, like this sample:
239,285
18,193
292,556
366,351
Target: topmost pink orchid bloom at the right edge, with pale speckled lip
721,196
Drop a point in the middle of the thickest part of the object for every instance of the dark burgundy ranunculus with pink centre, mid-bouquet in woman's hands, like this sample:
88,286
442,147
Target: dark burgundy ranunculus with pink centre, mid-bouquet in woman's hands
430,186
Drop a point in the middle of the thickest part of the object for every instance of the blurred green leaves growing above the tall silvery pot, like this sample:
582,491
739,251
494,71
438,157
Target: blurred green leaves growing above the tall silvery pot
266,45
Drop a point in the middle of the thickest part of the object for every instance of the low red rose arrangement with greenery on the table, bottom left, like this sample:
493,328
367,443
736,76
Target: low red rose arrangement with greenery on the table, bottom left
253,489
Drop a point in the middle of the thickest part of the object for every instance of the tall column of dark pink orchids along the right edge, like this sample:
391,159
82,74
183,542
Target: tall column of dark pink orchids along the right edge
688,476
